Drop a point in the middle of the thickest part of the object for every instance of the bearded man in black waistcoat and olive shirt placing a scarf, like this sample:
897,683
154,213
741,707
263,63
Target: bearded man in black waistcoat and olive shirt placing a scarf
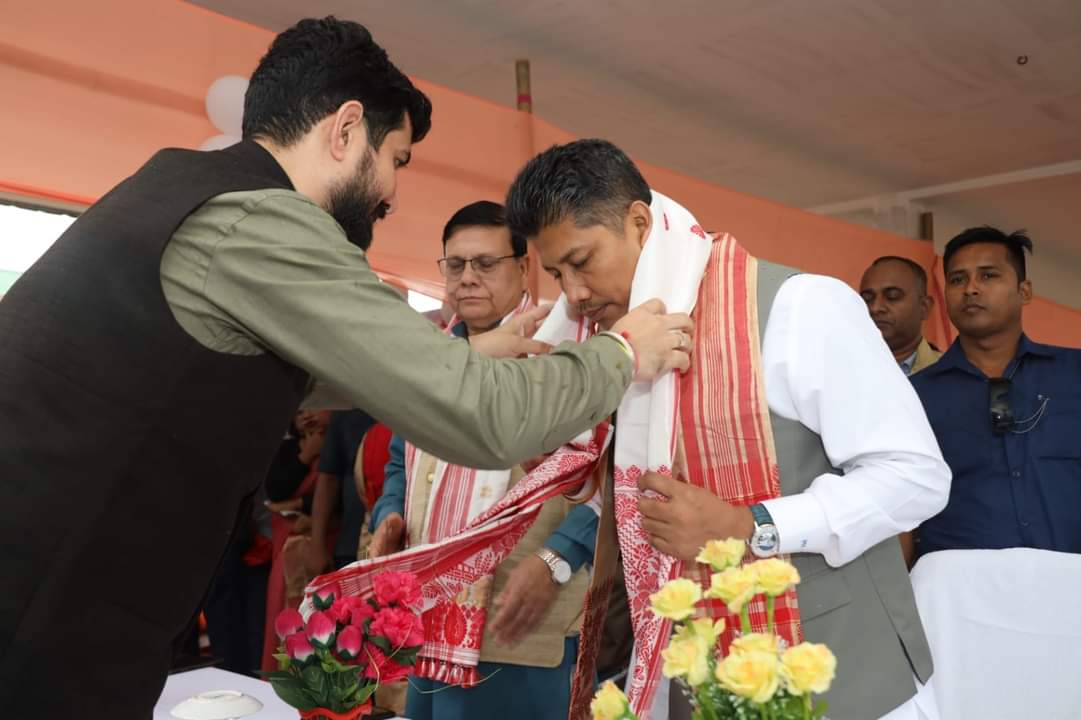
194,302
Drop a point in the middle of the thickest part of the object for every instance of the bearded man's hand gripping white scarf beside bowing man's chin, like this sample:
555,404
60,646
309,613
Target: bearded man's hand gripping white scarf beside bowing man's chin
661,342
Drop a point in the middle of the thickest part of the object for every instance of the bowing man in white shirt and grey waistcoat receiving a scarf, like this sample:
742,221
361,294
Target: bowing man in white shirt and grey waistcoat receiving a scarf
858,460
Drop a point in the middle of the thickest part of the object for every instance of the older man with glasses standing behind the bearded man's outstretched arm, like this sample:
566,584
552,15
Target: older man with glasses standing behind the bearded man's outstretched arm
526,617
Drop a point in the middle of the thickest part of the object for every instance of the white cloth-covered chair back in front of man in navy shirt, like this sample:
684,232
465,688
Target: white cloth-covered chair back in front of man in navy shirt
1006,633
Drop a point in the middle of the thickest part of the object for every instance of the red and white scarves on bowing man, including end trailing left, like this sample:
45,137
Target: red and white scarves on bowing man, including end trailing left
719,408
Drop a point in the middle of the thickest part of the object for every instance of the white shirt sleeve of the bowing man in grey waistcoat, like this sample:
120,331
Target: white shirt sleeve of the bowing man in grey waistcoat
828,367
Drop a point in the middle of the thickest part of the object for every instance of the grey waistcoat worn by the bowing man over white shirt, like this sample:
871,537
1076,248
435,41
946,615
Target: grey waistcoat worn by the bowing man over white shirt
865,610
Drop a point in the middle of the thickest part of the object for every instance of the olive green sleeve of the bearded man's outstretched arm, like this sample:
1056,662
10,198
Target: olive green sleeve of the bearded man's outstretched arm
286,275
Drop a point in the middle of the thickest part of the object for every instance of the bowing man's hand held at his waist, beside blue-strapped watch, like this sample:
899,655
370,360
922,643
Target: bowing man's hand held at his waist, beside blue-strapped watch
686,518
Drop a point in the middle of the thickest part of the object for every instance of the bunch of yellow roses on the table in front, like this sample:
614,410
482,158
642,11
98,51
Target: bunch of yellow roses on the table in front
760,678
